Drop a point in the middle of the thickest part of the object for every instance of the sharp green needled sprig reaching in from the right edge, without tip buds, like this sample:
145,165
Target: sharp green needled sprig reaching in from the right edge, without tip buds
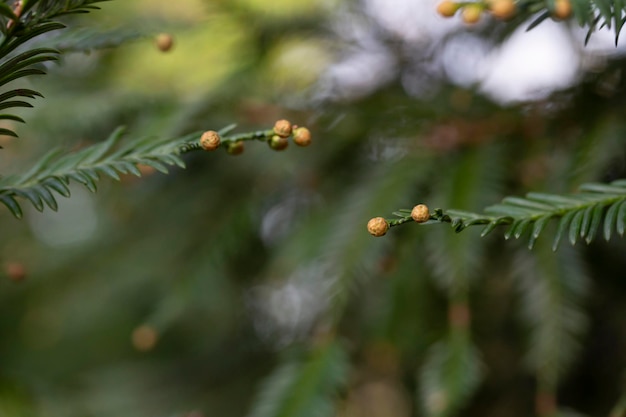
579,215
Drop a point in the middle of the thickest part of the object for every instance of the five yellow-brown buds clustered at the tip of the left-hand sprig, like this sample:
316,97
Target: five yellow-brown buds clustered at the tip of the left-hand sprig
277,138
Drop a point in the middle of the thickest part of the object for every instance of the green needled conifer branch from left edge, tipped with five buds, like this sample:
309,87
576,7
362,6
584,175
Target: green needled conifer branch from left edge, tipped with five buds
53,173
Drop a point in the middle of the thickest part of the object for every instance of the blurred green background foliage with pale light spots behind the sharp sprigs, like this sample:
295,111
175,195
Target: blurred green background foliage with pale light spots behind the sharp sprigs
249,286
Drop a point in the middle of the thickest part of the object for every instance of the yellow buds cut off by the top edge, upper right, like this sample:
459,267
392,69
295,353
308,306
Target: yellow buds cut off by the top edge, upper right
471,12
